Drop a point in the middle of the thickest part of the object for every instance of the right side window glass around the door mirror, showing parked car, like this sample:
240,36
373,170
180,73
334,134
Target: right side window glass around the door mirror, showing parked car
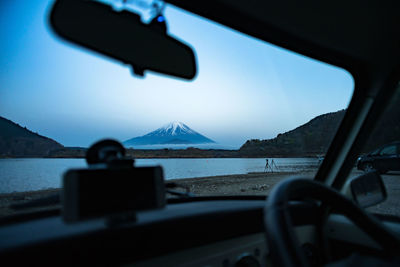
385,139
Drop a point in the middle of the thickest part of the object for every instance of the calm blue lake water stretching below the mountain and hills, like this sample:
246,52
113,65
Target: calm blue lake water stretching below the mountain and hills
17,175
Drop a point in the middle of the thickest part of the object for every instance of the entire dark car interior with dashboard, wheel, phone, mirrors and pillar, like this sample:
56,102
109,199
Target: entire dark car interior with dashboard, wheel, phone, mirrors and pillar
304,221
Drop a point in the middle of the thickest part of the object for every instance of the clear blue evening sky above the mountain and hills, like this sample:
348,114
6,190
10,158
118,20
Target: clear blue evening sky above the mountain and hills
244,89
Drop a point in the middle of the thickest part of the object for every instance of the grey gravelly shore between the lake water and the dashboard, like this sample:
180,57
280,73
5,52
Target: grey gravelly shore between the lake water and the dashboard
224,185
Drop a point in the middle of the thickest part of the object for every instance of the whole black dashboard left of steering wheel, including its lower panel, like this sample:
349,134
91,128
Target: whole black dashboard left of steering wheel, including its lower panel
191,232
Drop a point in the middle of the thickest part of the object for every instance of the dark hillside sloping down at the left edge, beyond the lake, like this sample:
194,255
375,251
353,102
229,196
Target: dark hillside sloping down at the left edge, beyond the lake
17,141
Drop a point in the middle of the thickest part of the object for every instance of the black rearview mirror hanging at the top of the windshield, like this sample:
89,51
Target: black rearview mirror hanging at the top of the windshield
122,36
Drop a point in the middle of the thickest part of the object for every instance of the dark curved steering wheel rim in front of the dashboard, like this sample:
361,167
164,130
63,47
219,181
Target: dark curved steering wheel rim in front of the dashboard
281,238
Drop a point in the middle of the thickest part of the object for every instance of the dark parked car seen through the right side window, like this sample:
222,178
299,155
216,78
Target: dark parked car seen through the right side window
383,159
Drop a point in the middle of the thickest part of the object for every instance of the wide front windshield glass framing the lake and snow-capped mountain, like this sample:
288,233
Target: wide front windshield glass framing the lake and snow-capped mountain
253,115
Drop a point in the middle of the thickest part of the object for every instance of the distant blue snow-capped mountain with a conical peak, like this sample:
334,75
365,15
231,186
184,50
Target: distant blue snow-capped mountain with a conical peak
172,133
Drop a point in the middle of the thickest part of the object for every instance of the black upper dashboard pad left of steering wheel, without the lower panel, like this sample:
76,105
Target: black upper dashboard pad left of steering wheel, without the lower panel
178,227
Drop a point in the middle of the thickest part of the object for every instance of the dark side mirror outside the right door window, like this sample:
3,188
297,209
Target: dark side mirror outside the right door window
367,190
